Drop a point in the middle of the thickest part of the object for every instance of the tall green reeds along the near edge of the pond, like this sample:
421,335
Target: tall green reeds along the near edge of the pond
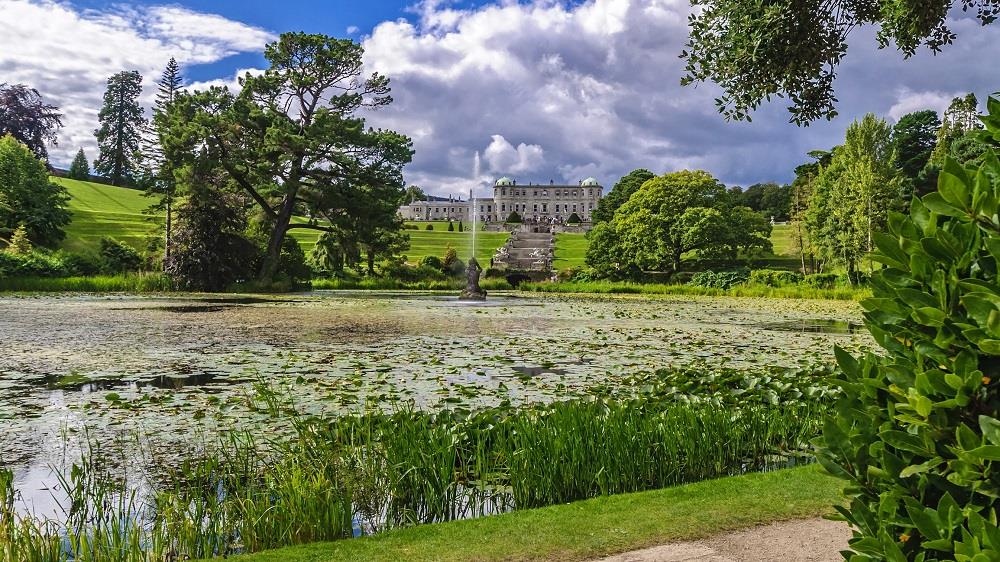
383,470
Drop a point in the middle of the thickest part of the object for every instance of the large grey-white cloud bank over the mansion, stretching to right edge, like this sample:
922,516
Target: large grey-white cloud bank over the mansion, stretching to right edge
592,88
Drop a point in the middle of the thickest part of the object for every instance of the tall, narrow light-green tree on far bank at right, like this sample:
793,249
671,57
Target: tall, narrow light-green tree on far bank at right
853,195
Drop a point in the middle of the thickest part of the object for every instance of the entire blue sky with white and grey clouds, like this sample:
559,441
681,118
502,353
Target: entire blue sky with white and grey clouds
543,90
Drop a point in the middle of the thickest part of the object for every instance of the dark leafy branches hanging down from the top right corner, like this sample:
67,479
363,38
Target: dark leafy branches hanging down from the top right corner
789,48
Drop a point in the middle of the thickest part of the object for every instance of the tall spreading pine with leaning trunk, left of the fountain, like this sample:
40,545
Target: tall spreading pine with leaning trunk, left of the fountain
292,139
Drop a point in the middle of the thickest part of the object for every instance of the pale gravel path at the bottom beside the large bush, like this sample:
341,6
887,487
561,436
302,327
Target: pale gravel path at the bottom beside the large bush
810,540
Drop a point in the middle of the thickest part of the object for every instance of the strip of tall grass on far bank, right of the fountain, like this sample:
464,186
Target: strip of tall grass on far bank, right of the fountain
610,287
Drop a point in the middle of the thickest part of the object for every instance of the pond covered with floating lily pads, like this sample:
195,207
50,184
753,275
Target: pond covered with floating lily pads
181,368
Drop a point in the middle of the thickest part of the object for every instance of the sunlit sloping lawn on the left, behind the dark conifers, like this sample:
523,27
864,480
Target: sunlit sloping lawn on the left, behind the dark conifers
104,210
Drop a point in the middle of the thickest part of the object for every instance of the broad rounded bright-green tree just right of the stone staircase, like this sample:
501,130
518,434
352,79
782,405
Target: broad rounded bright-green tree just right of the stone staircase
669,216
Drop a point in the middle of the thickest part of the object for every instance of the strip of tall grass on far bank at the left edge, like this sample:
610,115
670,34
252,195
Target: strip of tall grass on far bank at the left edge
124,283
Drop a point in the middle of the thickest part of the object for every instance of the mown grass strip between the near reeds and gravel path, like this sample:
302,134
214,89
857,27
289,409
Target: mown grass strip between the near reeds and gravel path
596,527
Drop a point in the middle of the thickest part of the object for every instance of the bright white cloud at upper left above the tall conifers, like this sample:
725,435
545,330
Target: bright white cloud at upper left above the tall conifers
70,56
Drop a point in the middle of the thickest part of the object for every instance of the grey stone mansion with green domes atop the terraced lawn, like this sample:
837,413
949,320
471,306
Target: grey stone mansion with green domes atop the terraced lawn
543,203
